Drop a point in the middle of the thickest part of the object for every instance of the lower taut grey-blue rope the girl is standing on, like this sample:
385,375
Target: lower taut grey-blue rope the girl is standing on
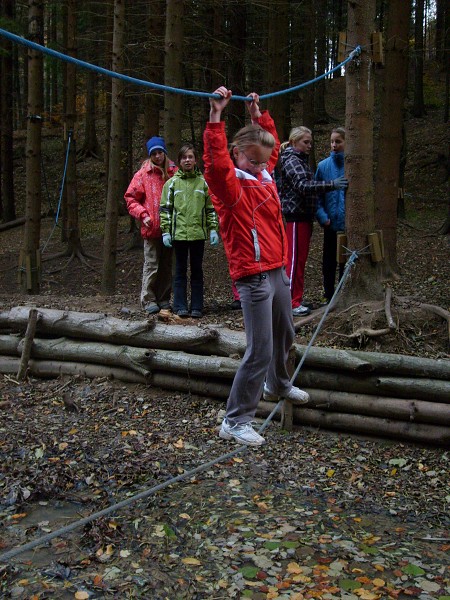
6,556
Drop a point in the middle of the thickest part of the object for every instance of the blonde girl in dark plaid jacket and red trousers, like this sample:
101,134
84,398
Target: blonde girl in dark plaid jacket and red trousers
299,197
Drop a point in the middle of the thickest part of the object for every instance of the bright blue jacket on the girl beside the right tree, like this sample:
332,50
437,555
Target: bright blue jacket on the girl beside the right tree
332,204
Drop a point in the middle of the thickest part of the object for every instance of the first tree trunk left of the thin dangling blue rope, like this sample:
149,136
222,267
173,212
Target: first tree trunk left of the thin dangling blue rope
29,261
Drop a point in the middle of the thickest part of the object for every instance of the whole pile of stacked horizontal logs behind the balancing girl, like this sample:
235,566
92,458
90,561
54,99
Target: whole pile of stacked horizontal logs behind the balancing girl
387,395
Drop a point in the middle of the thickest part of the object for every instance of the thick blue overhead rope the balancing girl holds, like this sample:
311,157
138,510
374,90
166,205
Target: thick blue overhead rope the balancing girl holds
157,86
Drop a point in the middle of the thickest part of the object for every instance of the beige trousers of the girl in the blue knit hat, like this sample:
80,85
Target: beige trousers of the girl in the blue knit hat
156,273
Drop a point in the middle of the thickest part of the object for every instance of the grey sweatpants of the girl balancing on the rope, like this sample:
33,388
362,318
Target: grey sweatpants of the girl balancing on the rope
269,329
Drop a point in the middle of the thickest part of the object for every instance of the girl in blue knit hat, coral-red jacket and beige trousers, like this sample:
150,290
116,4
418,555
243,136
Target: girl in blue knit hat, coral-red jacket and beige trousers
143,201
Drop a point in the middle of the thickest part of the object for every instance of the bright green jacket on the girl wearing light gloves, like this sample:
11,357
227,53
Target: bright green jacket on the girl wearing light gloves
186,209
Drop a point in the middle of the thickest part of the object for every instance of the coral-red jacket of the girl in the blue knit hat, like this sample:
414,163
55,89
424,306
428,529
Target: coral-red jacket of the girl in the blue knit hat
143,196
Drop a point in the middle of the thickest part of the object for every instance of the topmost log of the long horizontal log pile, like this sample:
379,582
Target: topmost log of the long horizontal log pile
210,340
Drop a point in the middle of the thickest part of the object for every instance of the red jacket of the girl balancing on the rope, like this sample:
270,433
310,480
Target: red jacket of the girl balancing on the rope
249,210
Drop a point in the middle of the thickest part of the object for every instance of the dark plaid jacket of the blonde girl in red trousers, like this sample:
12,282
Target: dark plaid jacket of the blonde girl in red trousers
299,189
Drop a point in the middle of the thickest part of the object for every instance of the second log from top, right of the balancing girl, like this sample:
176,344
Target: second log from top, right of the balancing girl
433,390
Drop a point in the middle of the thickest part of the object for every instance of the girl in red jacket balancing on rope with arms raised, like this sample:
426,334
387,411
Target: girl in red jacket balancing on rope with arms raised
246,200
